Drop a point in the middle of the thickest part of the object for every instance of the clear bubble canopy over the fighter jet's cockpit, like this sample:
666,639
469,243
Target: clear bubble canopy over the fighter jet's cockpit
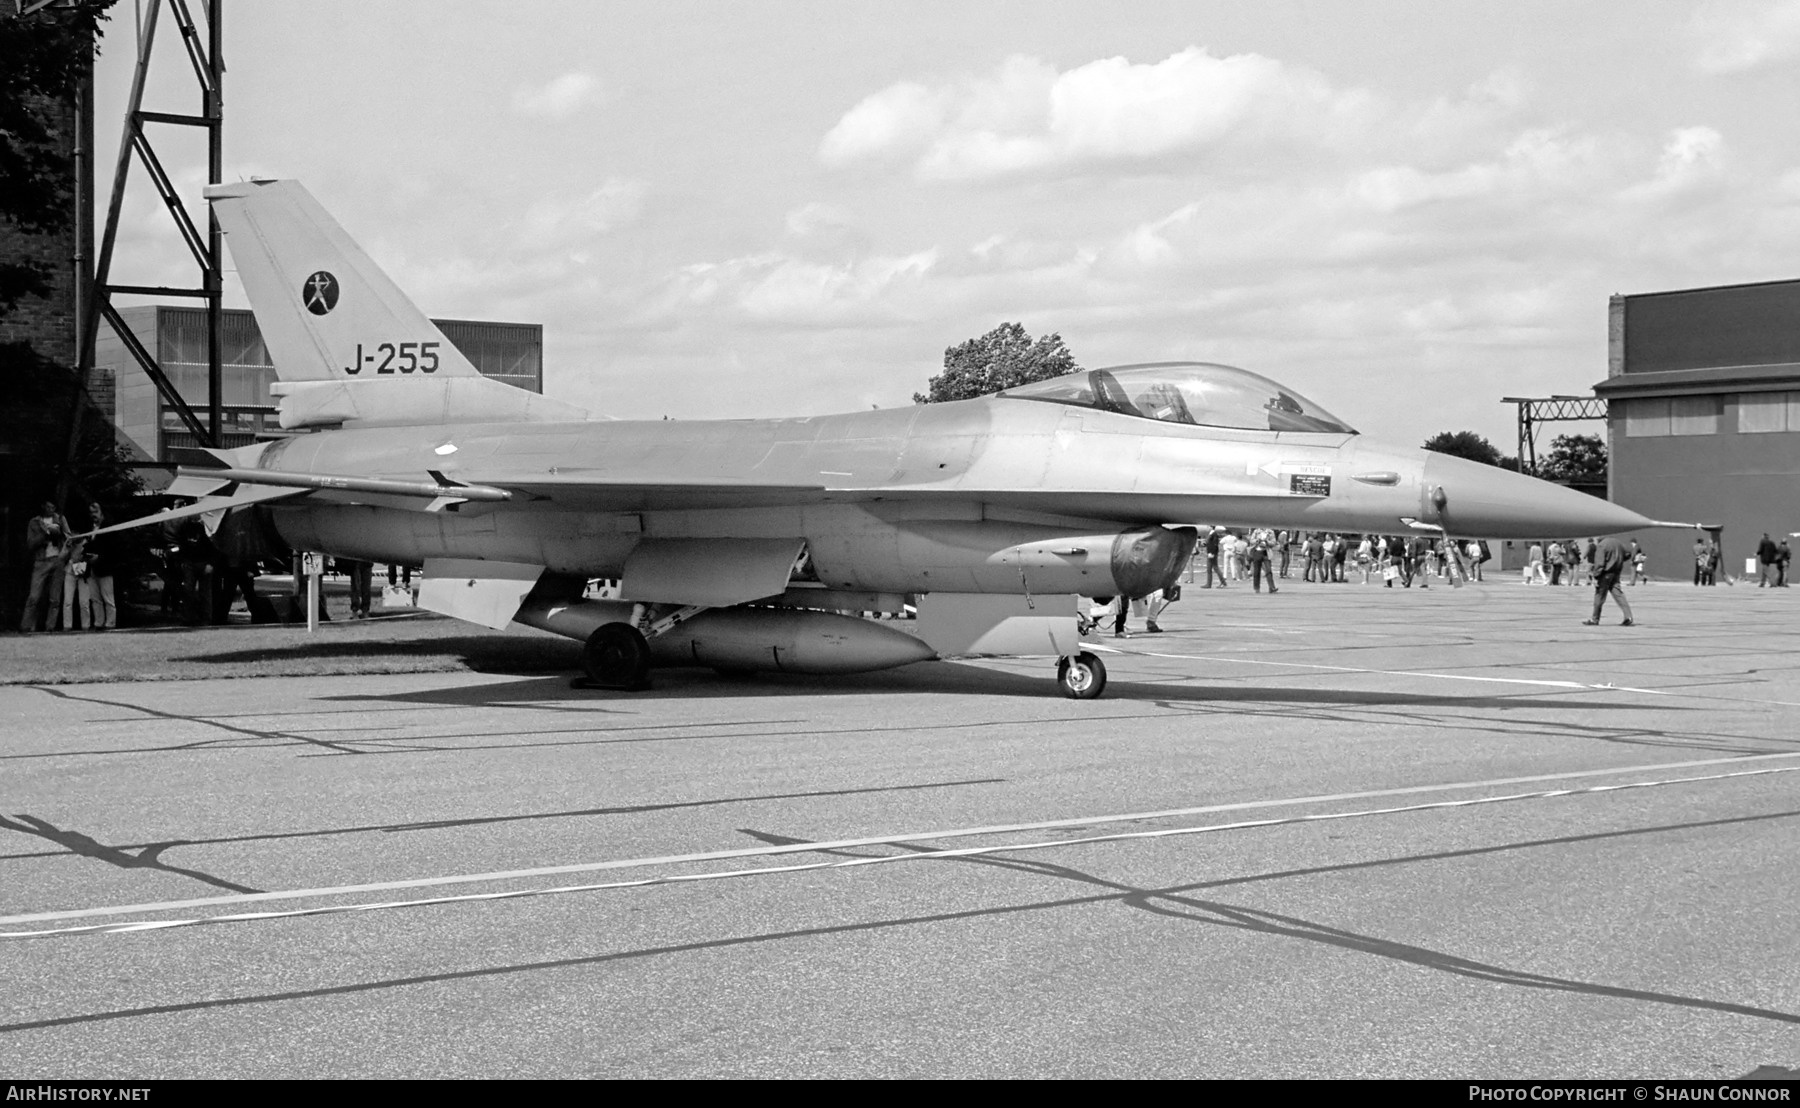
1196,393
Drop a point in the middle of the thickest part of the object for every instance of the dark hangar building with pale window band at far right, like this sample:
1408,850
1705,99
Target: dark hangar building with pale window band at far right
1704,416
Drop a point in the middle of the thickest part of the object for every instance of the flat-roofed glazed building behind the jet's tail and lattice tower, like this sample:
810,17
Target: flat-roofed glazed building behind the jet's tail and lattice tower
177,337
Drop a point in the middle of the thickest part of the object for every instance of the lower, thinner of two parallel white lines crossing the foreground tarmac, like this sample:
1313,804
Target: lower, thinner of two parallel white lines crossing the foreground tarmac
150,925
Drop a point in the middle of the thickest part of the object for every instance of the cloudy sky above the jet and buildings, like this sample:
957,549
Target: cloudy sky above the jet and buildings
1403,210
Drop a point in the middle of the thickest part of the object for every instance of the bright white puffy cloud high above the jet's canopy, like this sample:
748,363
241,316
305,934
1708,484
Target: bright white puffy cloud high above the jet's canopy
1029,116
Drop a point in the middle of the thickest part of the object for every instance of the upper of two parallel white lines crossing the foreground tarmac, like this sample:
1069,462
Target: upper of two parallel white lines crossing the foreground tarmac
546,871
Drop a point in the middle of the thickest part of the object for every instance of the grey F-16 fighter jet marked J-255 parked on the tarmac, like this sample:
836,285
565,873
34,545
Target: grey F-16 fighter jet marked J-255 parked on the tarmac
759,544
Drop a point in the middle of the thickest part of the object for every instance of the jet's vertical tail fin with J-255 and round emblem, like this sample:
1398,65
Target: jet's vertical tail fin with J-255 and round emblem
325,308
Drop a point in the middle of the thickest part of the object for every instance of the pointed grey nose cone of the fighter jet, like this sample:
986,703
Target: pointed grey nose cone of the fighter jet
1502,505
